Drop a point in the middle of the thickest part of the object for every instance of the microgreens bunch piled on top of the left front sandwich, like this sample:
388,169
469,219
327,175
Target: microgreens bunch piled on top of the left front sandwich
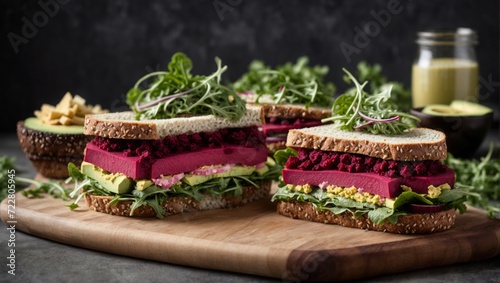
177,92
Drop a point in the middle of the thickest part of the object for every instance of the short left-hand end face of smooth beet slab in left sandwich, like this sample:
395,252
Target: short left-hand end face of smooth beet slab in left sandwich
117,162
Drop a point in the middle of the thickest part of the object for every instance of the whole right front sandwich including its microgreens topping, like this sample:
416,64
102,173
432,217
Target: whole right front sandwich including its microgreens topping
370,169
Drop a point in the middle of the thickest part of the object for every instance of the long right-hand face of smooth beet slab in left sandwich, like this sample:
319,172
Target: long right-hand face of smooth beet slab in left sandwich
186,162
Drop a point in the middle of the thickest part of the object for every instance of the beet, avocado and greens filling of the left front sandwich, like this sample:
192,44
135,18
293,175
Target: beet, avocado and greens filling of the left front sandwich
147,172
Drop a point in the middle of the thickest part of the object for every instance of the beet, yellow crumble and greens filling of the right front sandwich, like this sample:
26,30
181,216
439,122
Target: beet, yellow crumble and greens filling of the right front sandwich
382,190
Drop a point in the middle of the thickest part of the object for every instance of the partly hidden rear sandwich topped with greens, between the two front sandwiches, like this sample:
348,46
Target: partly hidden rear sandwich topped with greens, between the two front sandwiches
292,96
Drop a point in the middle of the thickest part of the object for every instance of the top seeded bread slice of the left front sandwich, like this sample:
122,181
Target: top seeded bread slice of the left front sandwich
123,125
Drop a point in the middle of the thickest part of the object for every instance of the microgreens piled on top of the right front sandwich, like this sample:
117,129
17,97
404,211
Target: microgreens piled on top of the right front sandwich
373,113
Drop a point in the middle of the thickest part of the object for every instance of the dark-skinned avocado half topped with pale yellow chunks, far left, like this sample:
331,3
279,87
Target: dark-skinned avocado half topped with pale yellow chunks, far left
53,137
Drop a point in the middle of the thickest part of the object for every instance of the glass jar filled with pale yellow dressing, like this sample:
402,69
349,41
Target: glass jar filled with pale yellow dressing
445,68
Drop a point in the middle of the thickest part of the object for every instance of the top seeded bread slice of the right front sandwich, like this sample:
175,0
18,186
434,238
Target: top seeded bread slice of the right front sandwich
415,144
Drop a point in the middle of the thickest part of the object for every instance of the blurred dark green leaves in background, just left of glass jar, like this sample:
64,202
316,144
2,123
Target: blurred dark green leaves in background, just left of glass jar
400,95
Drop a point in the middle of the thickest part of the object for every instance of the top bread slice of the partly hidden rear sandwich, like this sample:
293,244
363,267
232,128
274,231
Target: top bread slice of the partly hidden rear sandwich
295,111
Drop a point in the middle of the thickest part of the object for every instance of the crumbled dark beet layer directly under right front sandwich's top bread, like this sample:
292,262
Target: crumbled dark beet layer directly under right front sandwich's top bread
308,159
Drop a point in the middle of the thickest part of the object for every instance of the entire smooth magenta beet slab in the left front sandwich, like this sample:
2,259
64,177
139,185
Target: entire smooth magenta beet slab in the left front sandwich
140,168
